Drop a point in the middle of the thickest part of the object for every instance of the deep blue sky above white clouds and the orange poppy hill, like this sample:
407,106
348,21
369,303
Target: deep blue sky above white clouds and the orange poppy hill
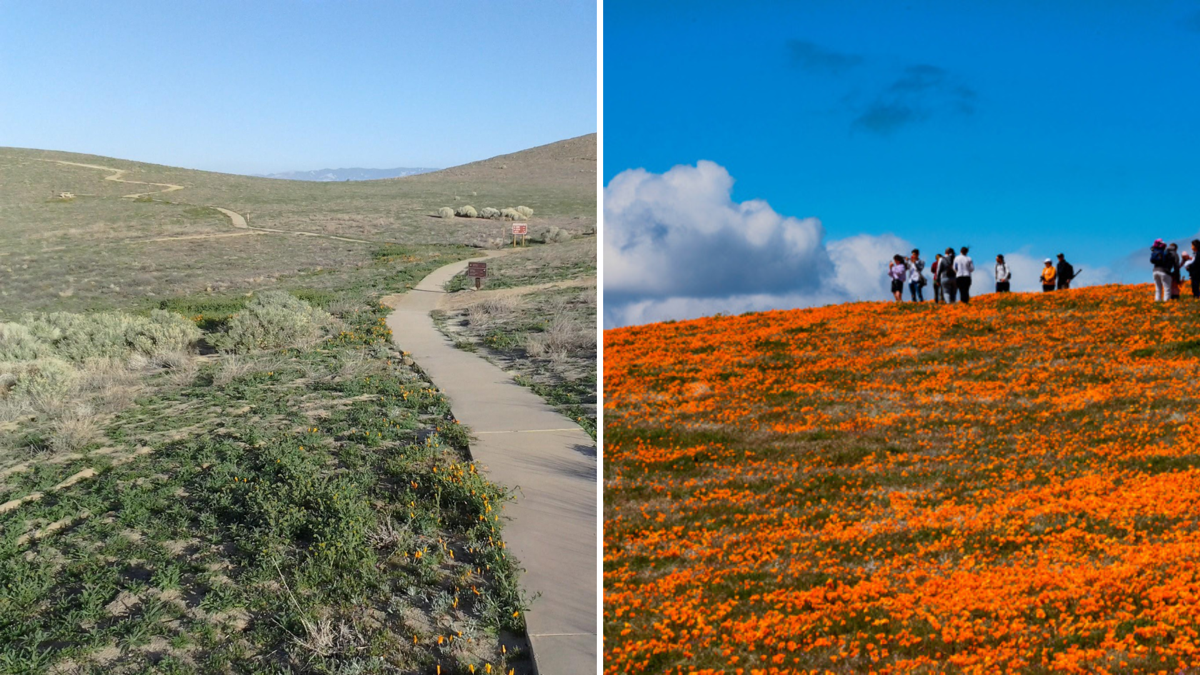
1011,127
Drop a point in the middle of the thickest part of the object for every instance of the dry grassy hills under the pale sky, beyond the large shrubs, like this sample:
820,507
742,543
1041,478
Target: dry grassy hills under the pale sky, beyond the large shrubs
101,250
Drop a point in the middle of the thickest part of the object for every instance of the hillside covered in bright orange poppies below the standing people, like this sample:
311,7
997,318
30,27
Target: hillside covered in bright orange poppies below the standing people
1009,487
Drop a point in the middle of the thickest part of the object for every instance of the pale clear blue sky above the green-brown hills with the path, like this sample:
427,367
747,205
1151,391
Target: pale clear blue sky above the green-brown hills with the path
278,86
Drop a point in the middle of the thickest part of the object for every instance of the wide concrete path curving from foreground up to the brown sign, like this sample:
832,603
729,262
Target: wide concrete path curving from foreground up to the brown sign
523,444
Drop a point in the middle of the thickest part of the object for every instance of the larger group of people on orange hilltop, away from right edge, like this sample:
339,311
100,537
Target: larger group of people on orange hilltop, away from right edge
952,276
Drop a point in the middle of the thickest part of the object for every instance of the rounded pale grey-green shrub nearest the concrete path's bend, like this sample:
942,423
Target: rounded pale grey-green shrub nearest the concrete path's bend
273,321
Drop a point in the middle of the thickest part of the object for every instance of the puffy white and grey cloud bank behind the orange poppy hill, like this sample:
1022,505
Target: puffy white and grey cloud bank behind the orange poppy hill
677,247
